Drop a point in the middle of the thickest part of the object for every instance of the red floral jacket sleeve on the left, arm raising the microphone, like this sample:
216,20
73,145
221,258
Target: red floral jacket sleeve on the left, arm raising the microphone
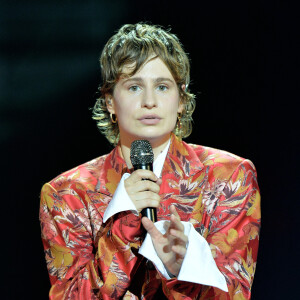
84,262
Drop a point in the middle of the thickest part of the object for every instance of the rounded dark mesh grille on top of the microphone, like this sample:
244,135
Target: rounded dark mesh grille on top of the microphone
141,152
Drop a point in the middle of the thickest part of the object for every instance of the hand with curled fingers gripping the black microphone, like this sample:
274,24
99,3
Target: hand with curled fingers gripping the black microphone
143,193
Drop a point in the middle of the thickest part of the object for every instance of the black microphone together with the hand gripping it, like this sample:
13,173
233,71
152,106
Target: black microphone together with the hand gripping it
143,186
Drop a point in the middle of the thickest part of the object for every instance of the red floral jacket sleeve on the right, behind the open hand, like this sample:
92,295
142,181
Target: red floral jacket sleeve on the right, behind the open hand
233,232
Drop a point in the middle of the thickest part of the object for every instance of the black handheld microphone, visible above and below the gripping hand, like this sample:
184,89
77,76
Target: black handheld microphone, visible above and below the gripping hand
141,156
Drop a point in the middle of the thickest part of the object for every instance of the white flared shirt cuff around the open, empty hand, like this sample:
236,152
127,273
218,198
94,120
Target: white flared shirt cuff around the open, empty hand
198,265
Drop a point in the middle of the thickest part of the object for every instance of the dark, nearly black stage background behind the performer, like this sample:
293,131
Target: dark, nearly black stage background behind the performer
244,71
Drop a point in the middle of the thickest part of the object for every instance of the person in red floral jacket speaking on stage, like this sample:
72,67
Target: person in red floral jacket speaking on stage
97,244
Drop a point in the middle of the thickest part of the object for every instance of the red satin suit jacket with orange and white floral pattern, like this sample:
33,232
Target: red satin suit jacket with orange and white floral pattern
214,190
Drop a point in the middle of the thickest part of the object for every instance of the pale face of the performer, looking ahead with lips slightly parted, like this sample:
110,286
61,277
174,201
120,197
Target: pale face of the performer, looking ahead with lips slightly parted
146,104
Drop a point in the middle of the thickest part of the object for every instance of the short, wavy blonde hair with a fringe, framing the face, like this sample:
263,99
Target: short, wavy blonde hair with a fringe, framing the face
133,45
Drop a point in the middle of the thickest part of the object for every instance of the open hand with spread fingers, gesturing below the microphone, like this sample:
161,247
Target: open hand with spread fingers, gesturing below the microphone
170,247
